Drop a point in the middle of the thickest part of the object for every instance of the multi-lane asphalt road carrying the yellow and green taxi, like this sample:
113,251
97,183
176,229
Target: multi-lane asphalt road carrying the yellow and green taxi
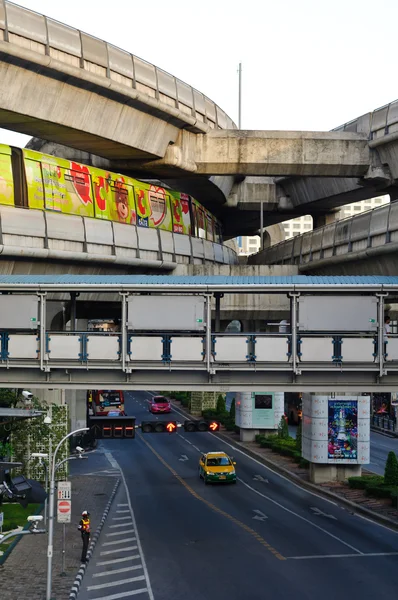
264,537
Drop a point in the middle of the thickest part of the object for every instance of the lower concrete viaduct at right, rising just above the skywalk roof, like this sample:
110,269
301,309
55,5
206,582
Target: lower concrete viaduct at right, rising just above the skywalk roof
366,243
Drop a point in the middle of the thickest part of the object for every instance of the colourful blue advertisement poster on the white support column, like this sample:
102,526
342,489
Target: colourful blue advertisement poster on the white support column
342,429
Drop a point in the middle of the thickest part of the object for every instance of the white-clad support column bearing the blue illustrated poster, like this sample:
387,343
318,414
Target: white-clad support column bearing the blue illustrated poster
336,435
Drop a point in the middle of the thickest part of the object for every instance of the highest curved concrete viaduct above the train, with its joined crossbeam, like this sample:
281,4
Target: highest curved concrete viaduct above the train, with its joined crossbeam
62,85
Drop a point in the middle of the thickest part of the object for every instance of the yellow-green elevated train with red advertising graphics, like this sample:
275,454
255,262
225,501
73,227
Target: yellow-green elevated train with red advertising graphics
32,180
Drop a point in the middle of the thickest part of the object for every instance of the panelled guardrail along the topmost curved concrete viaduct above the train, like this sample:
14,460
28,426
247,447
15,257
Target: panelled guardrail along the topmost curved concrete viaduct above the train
47,37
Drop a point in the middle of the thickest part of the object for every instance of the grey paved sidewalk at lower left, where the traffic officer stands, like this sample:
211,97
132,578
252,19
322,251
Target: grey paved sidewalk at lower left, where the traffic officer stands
23,575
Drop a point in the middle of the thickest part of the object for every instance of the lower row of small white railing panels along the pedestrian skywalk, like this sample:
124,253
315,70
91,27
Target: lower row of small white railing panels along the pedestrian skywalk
170,351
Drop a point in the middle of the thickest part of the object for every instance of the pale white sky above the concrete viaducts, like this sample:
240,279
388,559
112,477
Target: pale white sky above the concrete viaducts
306,65
